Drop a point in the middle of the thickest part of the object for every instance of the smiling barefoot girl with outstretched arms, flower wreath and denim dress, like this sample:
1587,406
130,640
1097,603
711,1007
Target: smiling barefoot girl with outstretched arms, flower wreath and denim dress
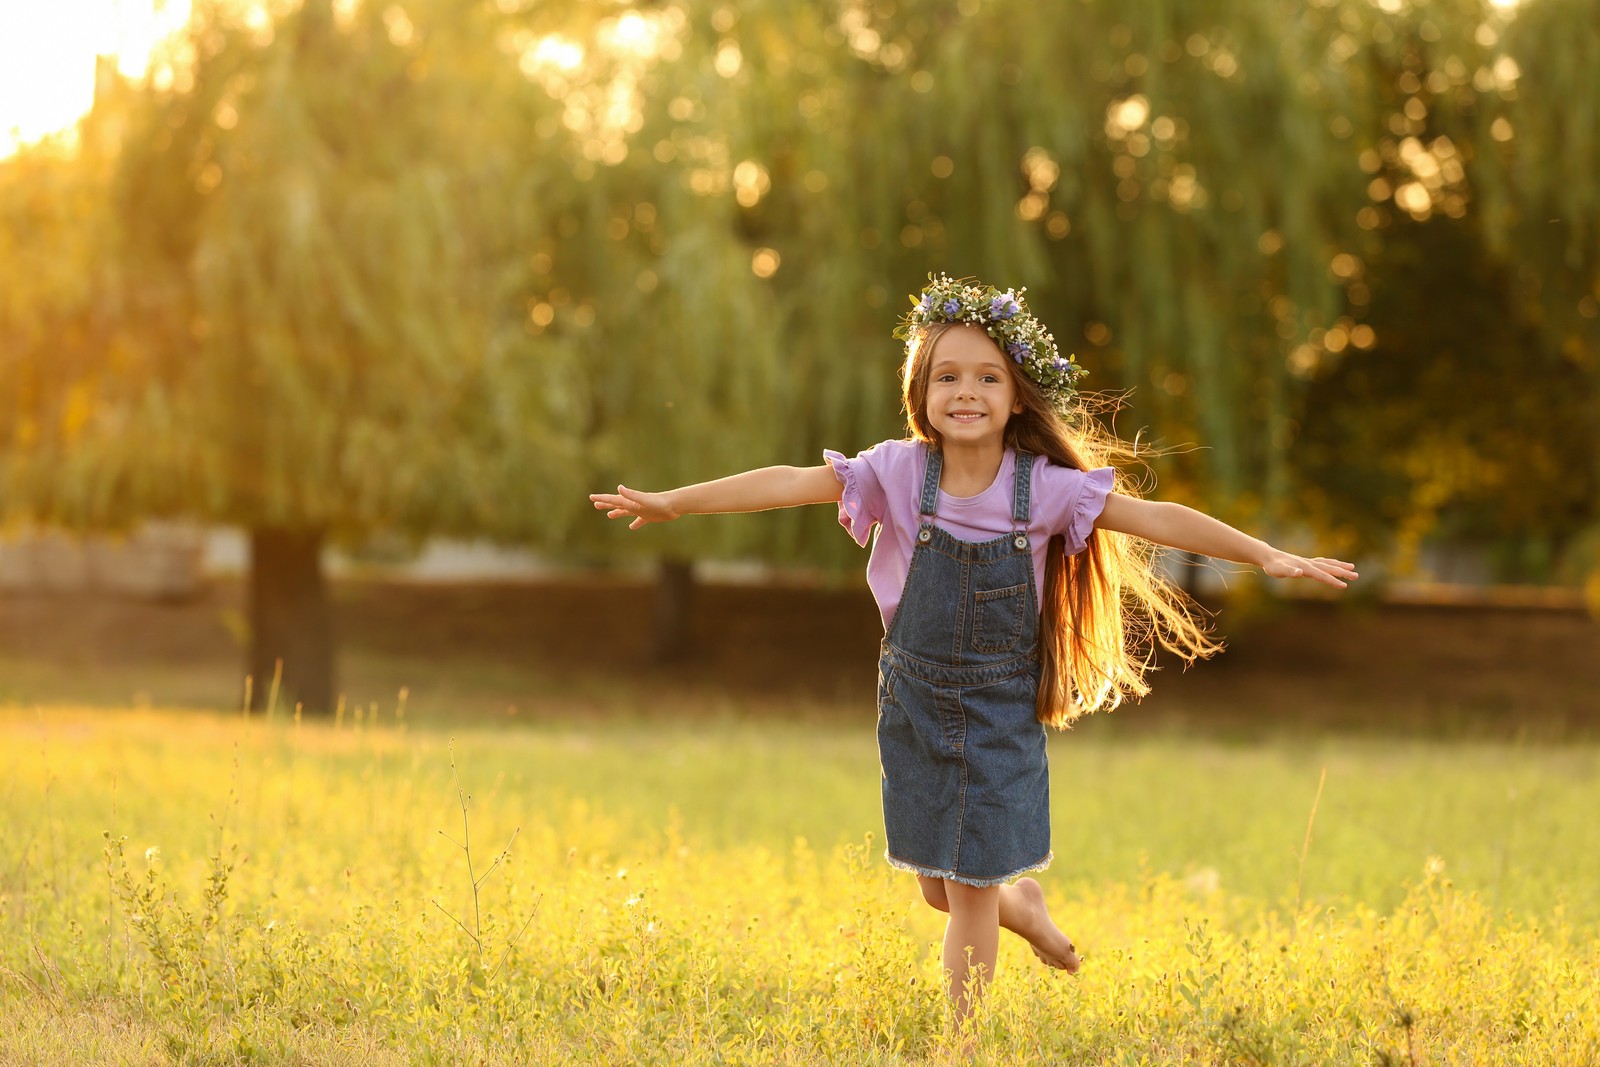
1017,591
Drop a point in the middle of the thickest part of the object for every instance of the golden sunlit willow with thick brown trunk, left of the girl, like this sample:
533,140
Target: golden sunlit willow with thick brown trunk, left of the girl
308,342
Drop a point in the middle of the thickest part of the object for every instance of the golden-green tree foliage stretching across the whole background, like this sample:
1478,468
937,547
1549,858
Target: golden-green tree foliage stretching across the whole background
444,268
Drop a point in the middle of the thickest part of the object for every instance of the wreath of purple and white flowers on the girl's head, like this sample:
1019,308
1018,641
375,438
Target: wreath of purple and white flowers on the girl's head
1004,318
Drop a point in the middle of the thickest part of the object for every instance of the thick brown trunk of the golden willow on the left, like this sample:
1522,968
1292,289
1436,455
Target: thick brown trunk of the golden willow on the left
290,620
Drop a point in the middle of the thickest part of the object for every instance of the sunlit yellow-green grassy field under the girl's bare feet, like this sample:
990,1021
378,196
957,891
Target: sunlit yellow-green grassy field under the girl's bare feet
183,887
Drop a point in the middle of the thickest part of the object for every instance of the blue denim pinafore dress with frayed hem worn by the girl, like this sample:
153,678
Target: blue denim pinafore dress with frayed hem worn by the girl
966,773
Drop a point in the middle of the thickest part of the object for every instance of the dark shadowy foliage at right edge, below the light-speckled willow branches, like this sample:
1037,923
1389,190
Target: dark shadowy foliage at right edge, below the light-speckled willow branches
1468,430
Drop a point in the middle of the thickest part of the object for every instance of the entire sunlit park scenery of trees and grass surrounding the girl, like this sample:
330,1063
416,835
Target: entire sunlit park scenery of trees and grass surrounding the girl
319,321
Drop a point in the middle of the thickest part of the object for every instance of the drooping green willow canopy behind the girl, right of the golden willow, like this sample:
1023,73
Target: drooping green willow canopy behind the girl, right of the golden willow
1172,182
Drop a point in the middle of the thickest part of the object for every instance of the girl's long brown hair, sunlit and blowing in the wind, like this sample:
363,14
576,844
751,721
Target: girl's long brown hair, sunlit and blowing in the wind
1108,607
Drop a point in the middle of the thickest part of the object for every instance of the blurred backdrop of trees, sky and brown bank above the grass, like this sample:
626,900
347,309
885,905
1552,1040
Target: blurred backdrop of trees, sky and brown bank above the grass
346,286
